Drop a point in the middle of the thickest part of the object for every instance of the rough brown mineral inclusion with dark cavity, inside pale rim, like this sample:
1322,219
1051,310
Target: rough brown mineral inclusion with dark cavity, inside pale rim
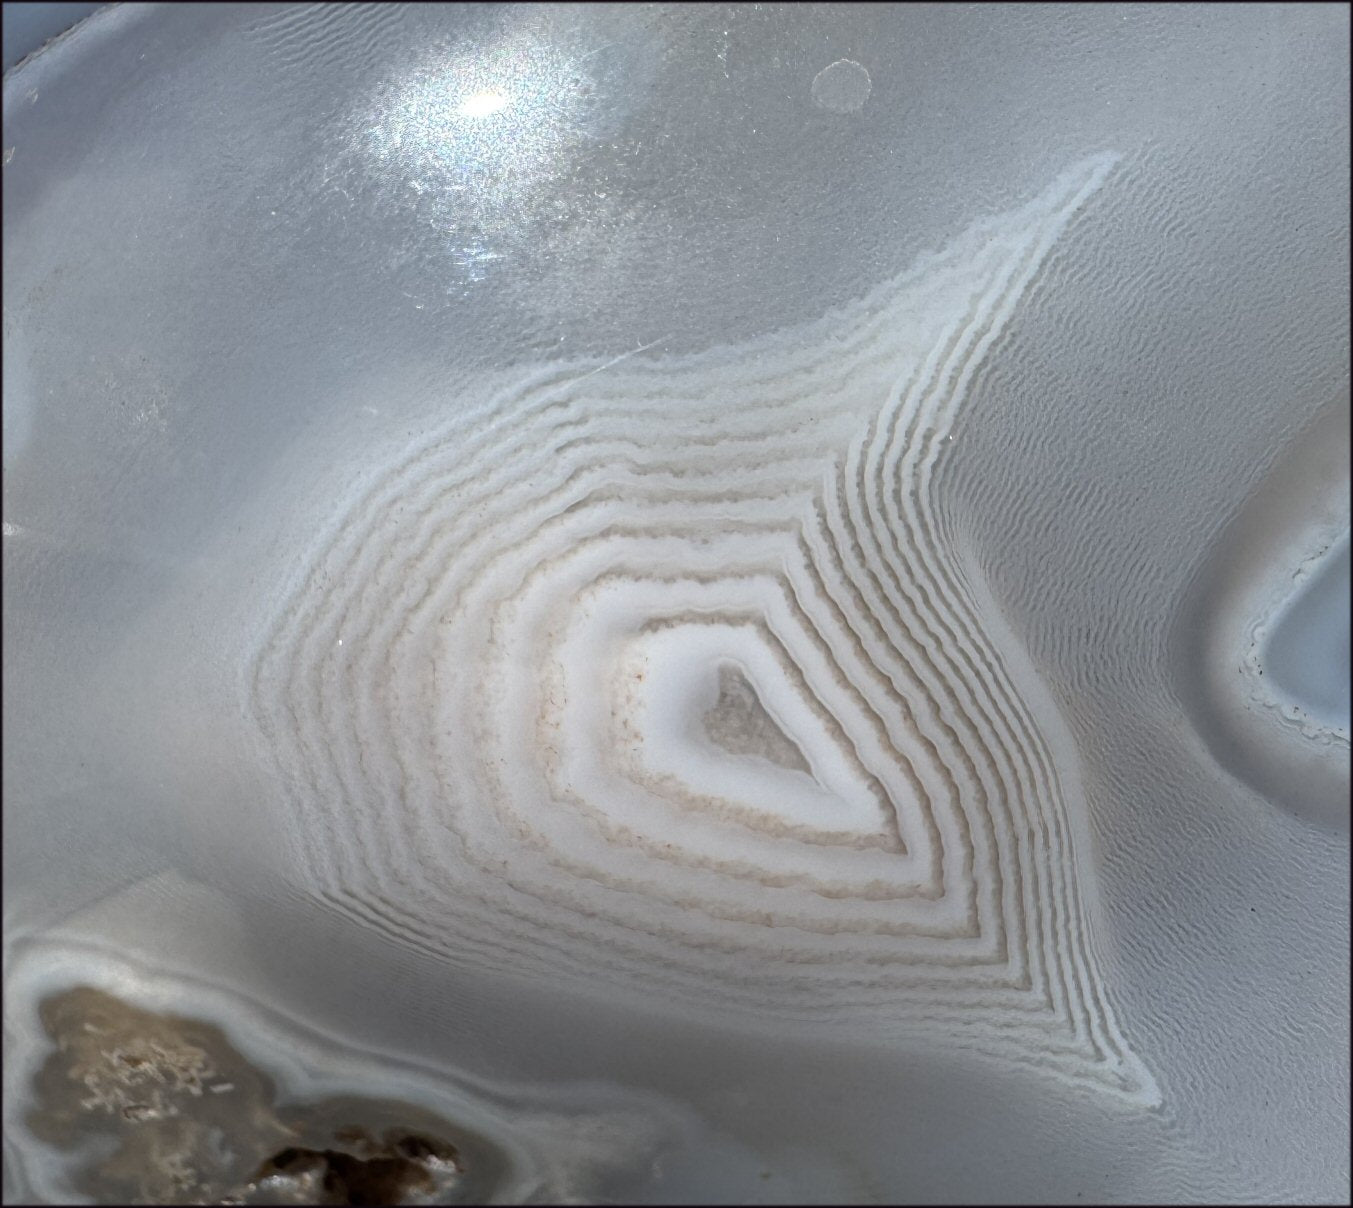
163,1110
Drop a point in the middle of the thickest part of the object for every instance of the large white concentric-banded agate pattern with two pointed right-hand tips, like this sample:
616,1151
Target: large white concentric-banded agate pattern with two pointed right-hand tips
666,678
